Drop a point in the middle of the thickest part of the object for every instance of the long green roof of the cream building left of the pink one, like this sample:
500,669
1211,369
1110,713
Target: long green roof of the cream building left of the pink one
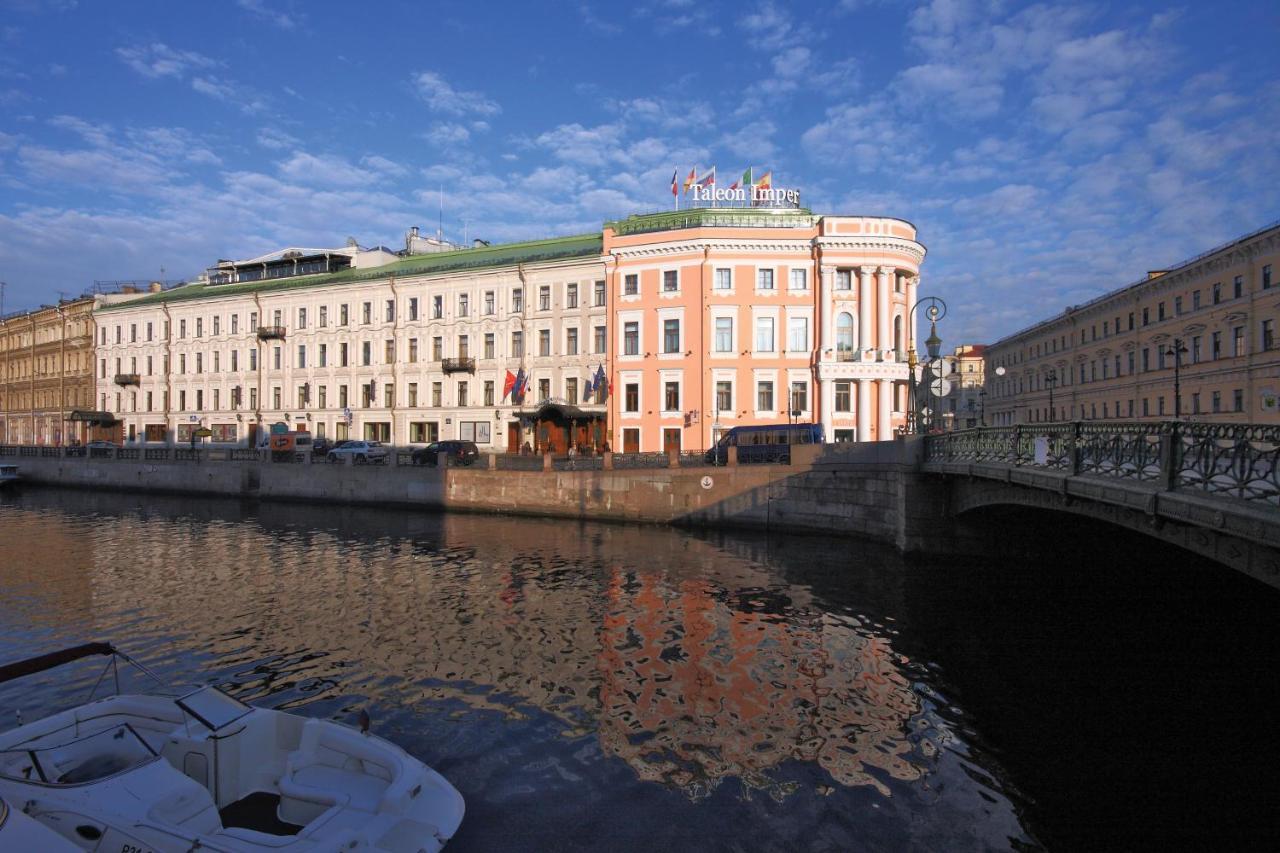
436,263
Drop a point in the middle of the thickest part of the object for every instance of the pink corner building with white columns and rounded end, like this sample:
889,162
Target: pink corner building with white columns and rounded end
737,317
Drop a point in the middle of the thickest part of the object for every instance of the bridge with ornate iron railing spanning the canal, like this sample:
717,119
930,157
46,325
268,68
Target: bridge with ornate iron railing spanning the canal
1210,489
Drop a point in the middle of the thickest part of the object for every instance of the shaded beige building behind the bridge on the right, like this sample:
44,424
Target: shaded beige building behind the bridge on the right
1206,327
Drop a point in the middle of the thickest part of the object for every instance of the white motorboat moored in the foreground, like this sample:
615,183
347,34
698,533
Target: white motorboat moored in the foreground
203,770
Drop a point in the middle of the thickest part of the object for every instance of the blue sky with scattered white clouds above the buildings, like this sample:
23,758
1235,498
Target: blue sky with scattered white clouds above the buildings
1048,153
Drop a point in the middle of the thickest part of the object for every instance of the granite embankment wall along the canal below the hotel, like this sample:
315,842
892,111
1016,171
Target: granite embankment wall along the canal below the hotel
871,490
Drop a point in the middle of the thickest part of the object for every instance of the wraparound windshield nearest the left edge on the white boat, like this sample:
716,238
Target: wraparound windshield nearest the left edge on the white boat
85,760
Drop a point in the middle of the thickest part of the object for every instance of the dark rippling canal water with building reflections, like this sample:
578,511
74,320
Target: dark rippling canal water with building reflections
625,688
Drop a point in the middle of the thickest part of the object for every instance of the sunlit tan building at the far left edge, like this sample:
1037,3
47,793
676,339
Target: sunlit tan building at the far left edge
47,375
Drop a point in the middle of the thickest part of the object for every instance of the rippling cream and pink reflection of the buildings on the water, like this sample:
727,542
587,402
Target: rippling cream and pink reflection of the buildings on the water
693,668
